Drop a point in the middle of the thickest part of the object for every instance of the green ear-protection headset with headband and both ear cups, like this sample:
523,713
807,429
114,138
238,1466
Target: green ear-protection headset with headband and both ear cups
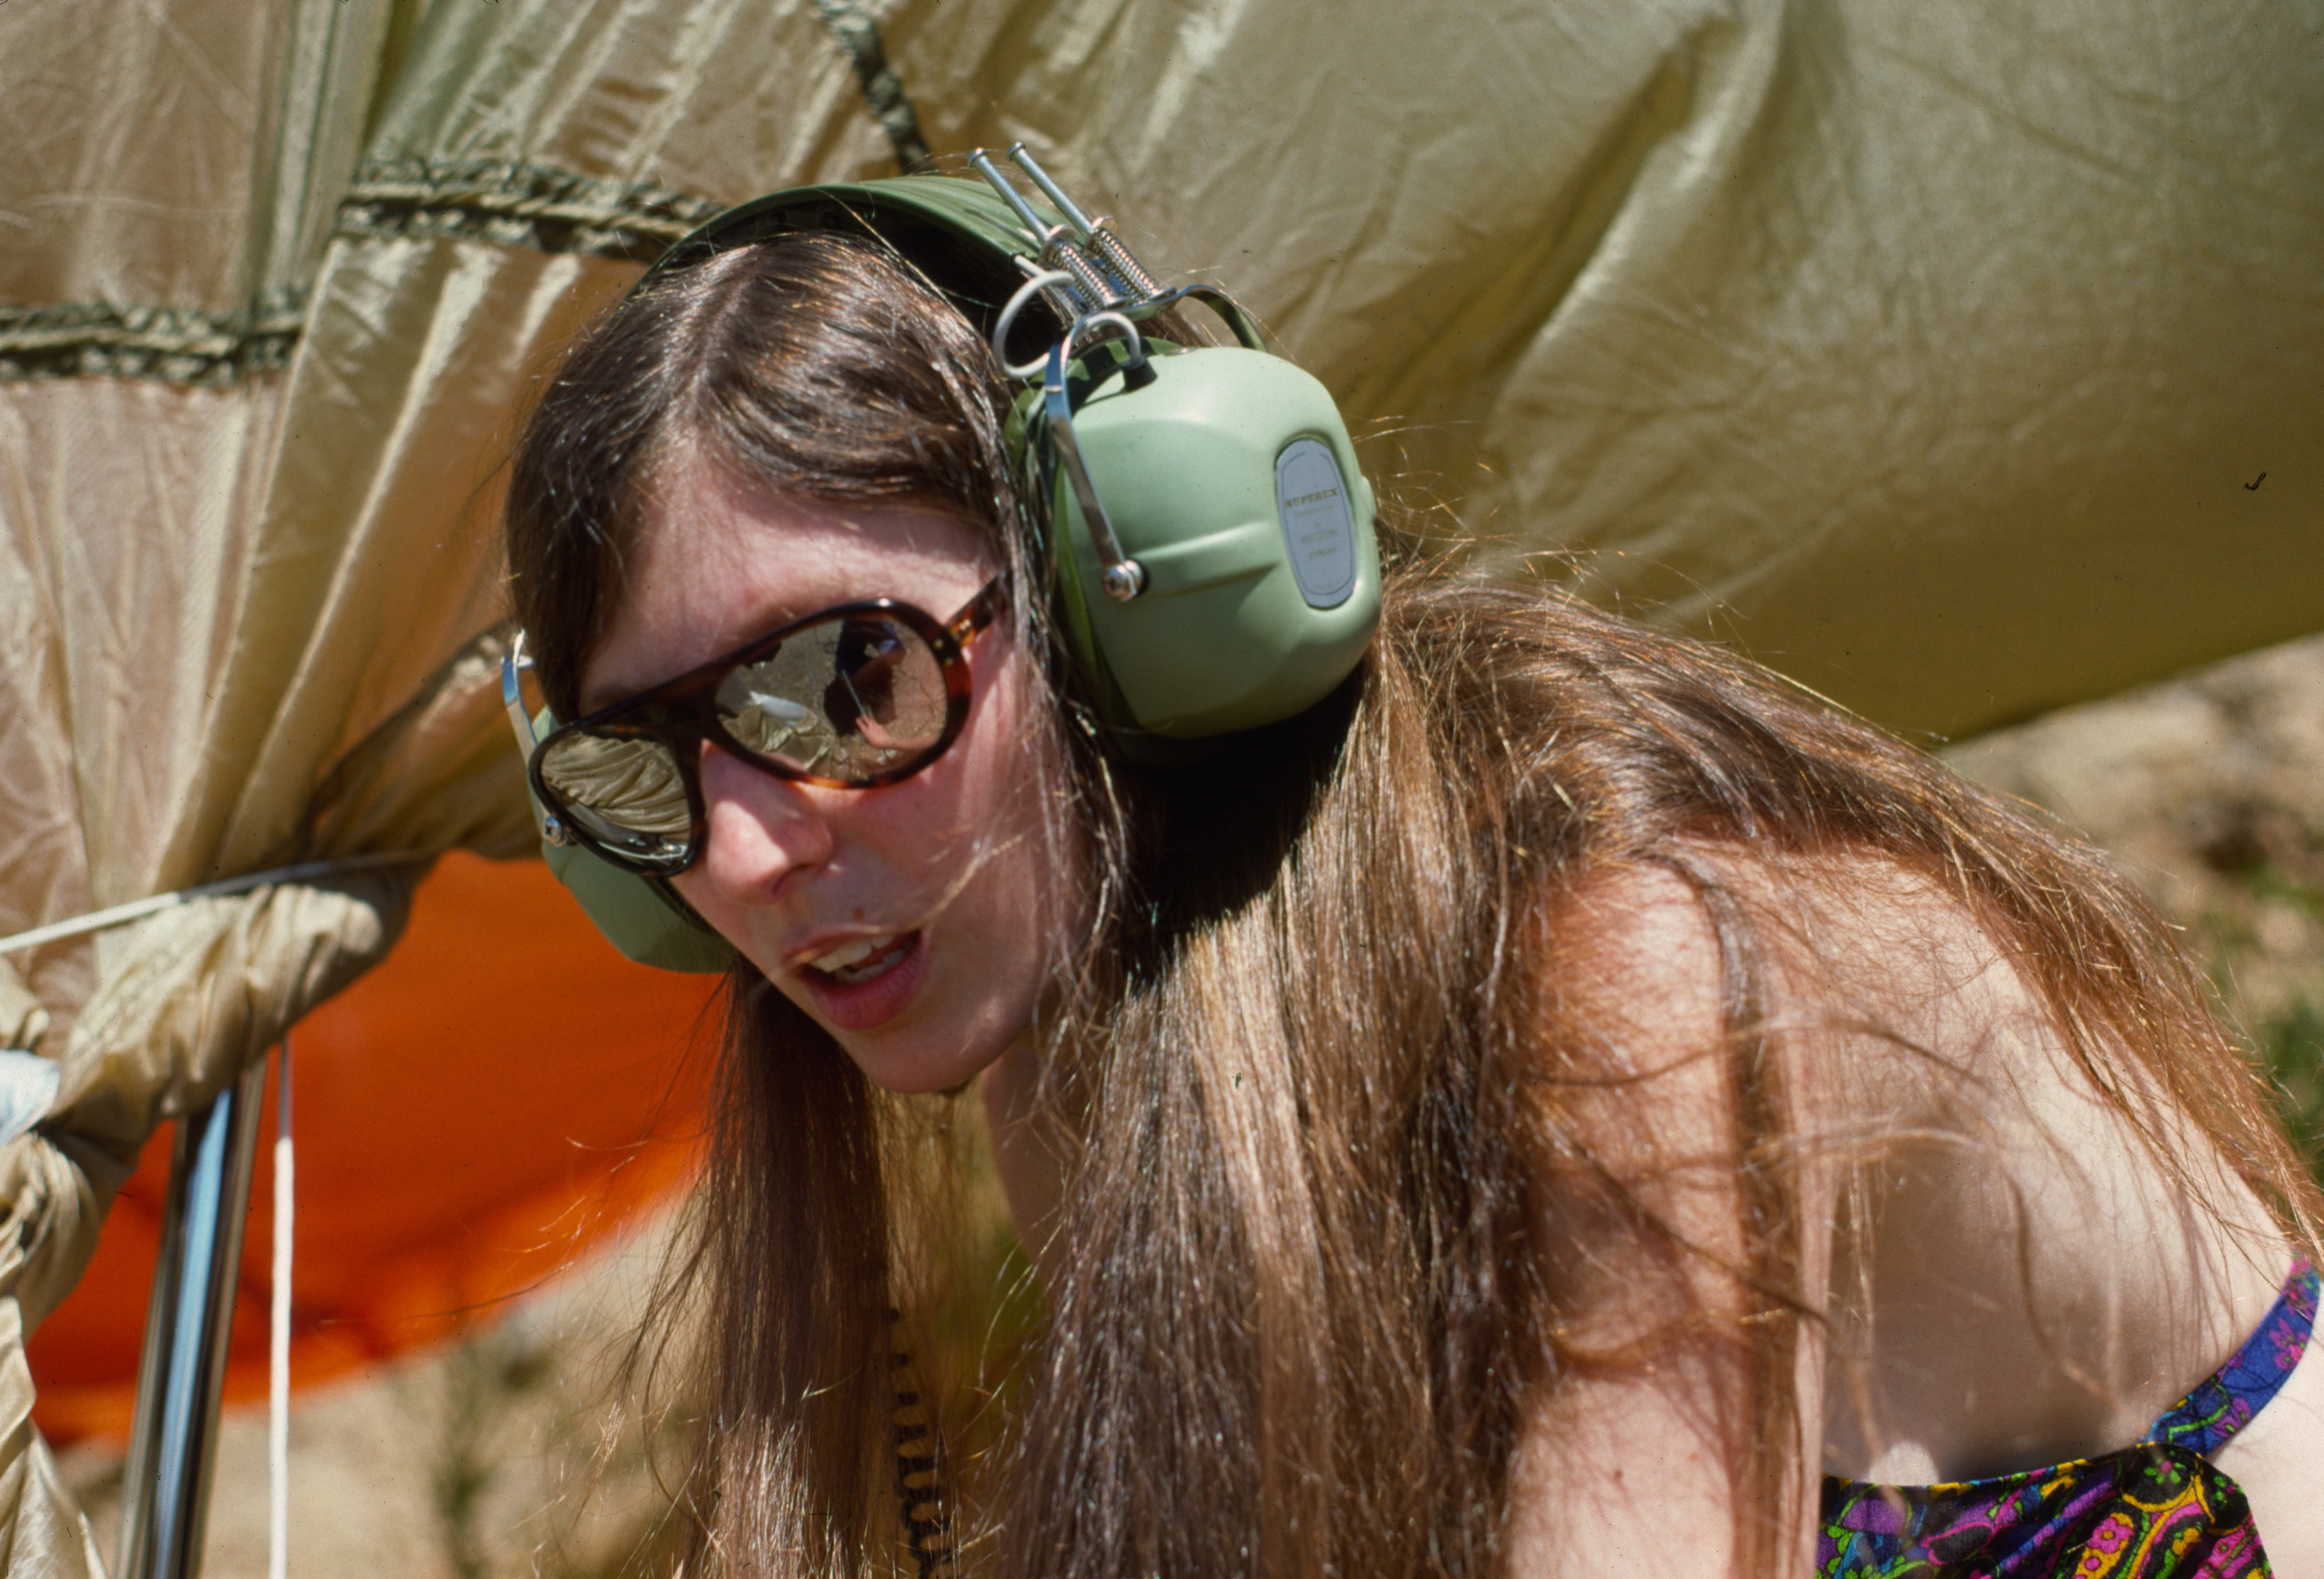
1210,531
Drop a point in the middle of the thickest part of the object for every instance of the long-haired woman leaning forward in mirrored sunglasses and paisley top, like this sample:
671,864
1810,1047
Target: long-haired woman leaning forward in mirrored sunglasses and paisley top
1565,1103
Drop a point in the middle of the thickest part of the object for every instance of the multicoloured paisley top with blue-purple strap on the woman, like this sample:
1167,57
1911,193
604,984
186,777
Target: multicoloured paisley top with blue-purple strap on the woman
2156,1510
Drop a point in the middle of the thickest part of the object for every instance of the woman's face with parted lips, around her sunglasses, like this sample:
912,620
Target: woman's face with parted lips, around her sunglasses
917,922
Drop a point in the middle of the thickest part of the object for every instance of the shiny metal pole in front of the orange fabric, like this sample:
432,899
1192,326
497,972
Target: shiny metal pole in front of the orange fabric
166,1482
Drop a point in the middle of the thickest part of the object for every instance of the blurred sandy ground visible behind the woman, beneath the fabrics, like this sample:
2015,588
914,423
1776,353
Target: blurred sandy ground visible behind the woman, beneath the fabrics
494,1462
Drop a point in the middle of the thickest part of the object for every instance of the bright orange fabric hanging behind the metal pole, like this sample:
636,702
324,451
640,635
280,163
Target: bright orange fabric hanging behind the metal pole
485,1106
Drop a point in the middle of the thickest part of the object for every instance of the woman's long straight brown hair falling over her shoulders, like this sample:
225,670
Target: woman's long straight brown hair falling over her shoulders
1314,1050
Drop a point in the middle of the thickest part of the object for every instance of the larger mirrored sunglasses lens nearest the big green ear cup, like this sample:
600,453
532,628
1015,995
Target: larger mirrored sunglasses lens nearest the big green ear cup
847,699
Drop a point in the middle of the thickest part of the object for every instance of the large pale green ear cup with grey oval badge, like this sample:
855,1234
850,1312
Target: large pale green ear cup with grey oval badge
1231,480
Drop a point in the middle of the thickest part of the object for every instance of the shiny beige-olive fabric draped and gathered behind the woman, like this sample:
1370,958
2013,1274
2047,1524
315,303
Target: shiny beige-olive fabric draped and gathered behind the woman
1960,362
